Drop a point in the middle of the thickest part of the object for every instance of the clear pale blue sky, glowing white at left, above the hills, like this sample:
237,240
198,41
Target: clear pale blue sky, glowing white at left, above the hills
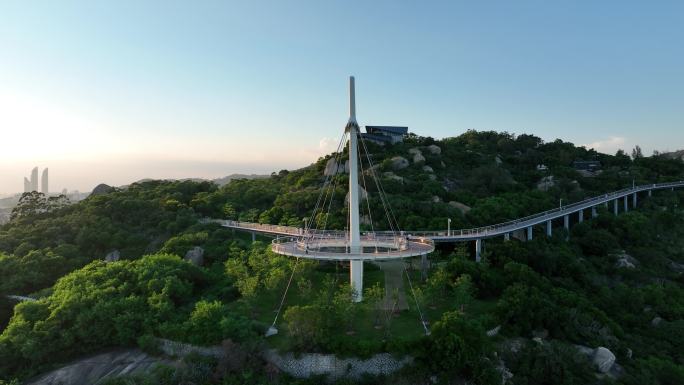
113,91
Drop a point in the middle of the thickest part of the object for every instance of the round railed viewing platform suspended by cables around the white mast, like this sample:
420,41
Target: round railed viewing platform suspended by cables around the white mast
335,247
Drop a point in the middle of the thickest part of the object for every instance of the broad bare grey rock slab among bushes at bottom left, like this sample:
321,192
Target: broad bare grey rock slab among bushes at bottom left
101,367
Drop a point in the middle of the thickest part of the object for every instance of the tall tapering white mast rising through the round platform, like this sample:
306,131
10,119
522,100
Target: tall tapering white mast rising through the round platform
355,266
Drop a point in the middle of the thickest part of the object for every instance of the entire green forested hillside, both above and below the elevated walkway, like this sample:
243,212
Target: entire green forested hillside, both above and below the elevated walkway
566,293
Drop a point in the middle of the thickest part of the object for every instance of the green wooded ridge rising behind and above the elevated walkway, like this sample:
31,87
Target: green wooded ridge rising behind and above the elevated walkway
496,174
